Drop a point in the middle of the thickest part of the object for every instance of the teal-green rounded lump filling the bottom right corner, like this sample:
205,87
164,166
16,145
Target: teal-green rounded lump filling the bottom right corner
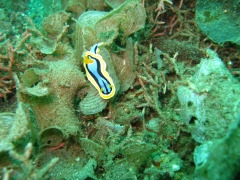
214,157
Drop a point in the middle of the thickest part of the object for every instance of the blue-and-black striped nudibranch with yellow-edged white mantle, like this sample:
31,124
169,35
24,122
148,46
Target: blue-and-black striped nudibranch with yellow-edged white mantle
95,68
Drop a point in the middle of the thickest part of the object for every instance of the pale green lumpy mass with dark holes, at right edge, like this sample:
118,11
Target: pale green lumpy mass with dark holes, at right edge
209,87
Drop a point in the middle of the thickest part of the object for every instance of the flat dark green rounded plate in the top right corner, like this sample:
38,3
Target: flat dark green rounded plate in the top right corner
219,20
